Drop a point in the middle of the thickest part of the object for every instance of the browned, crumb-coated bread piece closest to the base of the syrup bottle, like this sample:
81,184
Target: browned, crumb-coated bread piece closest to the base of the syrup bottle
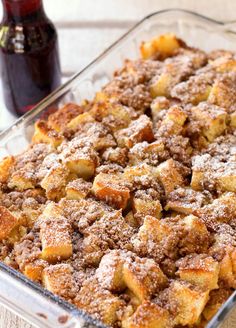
60,119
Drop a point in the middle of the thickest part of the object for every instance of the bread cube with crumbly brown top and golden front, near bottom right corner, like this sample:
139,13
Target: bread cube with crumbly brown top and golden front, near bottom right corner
201,271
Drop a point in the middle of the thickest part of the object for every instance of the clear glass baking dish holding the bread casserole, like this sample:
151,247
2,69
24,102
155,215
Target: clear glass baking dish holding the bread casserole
19,294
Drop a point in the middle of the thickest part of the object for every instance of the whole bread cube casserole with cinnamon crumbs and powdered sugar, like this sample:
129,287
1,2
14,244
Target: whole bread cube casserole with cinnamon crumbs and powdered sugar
125,206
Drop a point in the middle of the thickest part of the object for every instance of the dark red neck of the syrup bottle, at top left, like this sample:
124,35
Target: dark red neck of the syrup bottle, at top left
20,10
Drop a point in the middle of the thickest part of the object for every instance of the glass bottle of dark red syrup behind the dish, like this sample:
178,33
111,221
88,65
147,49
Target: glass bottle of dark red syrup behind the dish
29,60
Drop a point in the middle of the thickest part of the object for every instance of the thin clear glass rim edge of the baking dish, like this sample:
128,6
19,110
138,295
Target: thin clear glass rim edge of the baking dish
230,303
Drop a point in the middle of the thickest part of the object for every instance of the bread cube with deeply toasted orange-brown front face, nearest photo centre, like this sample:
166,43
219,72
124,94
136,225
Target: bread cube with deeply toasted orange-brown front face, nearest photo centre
110,188
